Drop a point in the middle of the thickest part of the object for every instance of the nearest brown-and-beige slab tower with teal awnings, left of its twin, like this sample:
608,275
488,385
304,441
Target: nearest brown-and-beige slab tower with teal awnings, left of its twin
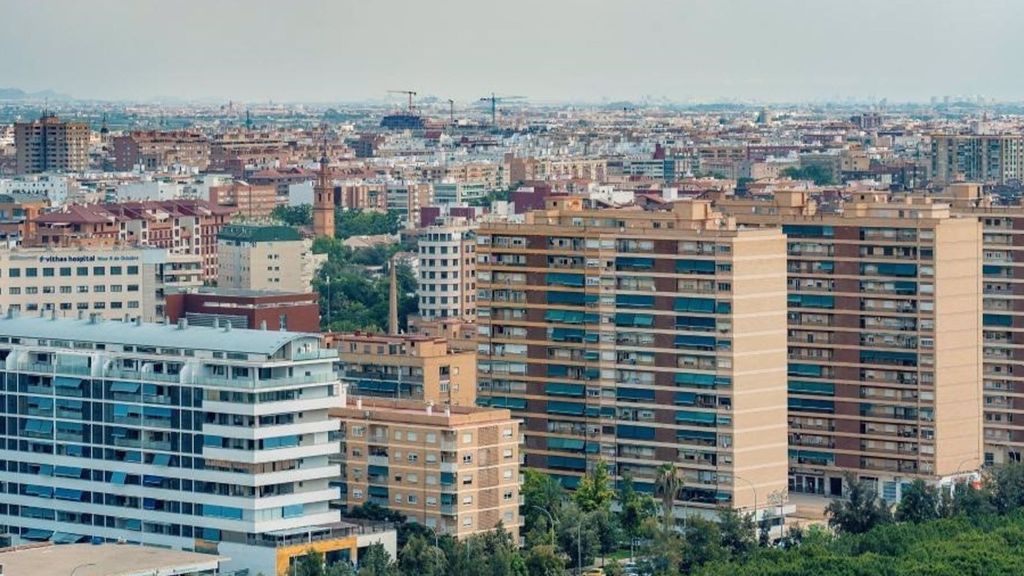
639,339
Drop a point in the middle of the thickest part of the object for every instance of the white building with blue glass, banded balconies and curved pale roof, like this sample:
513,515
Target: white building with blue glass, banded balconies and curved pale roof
177,436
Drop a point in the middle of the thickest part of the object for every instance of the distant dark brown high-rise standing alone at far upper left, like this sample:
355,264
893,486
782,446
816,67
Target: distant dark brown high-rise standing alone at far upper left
50,145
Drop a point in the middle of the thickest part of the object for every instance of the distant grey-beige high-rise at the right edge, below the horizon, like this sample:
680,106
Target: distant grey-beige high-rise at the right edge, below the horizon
978,158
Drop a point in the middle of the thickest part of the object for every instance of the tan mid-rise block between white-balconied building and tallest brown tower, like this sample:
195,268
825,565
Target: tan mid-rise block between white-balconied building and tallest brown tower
454,470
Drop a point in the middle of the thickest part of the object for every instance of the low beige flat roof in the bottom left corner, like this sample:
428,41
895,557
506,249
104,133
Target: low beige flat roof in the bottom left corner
106,560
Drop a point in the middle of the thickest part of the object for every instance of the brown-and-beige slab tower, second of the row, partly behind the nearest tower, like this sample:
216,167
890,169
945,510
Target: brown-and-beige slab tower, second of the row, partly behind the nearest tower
885,333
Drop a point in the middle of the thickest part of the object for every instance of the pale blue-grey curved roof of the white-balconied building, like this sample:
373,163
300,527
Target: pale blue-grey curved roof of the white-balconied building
150,335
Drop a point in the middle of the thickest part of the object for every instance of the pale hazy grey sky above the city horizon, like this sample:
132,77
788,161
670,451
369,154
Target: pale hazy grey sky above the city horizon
549,51
